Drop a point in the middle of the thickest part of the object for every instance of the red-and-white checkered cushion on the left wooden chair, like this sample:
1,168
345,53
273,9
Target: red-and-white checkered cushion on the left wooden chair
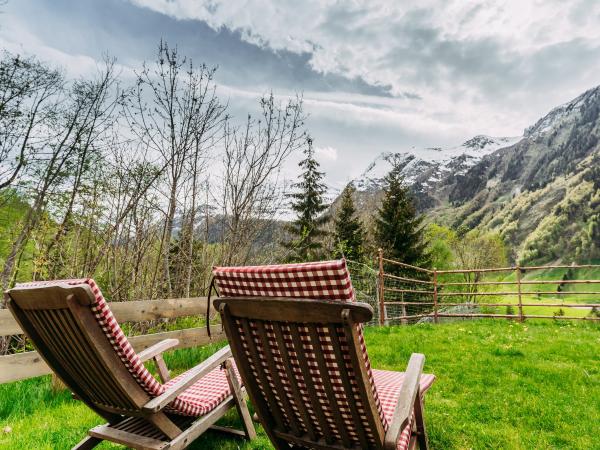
200,398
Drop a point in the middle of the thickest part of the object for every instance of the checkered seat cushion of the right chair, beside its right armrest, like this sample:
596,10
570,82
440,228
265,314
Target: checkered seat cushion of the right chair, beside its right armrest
388,385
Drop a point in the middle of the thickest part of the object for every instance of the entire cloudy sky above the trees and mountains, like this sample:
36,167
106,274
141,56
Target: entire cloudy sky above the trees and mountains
376,75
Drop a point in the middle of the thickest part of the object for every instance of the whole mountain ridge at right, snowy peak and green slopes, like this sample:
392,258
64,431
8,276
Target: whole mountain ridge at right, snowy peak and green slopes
521,187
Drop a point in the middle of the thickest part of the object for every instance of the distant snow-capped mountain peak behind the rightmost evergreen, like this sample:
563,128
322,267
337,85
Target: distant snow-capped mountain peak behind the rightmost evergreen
430,165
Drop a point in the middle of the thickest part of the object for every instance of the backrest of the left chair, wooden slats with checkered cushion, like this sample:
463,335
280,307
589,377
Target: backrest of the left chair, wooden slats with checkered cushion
73,329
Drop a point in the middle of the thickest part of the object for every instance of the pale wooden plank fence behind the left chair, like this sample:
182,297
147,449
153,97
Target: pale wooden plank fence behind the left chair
19,366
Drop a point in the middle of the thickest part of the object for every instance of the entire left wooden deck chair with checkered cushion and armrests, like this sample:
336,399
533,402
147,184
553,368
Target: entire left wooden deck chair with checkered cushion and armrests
73,329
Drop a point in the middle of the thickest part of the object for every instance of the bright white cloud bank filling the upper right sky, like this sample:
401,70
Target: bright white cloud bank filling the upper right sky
484,65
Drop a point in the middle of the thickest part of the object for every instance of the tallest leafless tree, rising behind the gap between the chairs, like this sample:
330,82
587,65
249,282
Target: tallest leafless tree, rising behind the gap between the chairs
175,112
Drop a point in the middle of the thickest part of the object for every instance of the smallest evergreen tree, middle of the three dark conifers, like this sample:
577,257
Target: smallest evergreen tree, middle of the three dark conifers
349,232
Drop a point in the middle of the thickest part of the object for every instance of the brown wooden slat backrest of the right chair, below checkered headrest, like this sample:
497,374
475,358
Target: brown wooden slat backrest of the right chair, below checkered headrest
302,365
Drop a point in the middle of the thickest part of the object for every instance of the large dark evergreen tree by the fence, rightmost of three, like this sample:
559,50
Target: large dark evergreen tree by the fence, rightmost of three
398,228
